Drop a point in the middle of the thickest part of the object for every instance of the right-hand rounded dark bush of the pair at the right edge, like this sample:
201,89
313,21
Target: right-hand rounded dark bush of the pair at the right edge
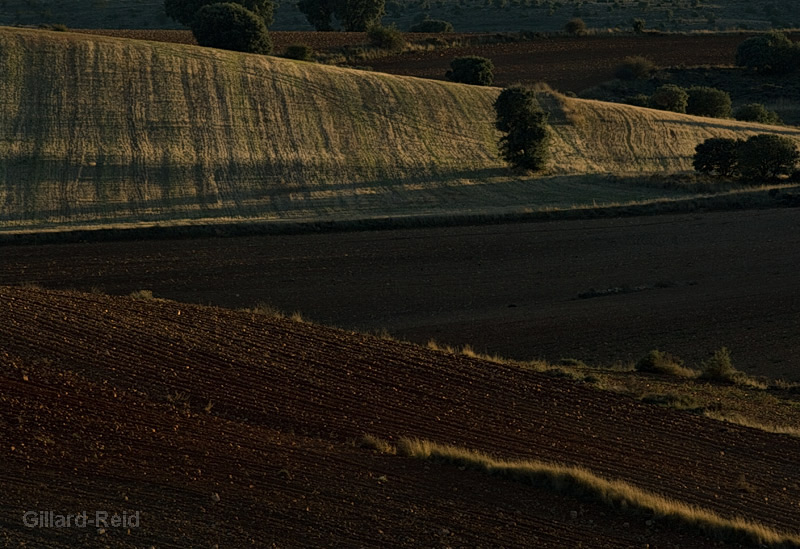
767,156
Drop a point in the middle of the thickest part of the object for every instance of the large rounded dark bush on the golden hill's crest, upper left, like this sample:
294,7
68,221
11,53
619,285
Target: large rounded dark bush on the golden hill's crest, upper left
231,27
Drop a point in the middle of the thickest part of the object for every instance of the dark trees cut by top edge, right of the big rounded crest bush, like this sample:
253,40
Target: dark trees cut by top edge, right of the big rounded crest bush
353,15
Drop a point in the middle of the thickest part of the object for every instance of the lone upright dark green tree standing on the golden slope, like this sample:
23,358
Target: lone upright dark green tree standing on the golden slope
519,115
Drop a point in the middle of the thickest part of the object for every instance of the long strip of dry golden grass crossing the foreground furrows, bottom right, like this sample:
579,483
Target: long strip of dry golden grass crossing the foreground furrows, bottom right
580,482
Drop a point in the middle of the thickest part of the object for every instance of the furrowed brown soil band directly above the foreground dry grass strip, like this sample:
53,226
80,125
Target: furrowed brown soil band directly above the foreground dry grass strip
330,384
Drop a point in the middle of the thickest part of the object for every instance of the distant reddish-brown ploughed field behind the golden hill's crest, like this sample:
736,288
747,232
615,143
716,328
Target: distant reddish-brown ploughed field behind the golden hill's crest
566,63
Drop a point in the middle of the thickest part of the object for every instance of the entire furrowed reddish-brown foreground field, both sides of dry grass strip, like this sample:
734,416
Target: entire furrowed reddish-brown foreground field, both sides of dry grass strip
86,424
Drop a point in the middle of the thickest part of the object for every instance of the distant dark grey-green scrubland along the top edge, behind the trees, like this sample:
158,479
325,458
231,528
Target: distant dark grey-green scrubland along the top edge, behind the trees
466,15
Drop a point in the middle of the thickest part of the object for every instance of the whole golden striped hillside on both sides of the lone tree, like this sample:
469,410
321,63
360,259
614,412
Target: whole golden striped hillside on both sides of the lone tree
104,131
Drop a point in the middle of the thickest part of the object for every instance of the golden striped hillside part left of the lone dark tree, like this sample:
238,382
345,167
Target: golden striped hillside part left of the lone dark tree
94,128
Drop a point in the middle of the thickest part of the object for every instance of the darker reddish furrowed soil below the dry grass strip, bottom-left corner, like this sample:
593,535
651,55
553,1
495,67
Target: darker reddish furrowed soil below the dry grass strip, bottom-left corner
273,487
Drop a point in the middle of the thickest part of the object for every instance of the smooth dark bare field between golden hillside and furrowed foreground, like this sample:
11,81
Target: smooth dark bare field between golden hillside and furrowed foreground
687,284
